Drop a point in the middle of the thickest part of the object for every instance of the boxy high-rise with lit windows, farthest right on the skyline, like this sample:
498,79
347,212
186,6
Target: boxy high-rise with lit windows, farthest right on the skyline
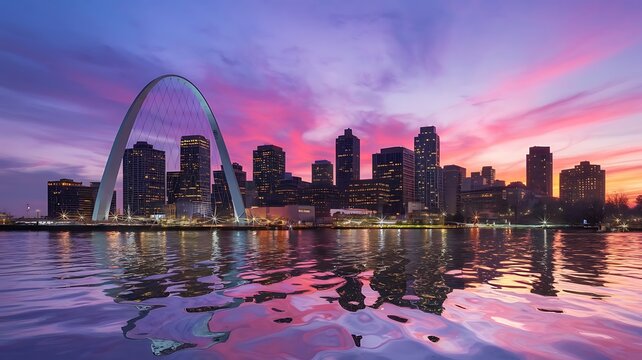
585,183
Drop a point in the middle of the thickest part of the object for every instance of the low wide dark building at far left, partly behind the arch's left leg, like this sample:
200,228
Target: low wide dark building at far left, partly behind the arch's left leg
70,199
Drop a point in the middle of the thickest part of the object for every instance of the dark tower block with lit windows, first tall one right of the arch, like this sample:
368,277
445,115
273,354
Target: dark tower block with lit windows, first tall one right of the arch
268,170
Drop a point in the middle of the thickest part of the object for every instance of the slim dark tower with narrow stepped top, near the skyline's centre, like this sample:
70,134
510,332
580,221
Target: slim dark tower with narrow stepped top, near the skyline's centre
348,159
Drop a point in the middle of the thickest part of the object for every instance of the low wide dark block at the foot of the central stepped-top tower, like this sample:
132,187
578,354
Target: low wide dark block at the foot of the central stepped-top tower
370,194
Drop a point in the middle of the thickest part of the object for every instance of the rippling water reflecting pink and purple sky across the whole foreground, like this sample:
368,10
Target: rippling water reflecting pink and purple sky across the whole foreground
496,294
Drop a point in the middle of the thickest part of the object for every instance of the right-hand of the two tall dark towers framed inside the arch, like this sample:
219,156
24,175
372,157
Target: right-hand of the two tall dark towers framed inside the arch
196,174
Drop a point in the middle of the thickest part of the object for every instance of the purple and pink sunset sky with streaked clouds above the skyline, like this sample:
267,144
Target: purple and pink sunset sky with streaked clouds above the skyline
494,77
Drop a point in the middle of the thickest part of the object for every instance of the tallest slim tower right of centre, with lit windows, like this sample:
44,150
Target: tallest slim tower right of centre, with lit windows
428,177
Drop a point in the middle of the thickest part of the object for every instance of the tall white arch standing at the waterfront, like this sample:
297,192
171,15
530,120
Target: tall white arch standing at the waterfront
108,181
